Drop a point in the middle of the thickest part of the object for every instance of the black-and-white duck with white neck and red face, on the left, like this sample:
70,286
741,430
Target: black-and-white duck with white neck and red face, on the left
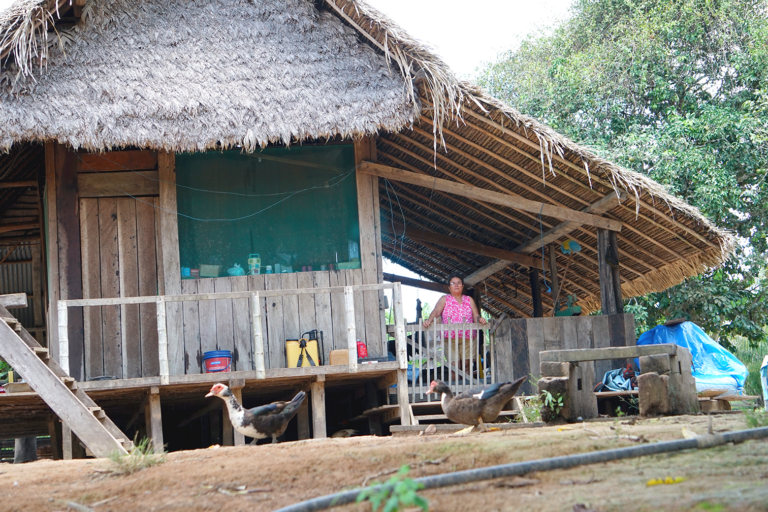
261,422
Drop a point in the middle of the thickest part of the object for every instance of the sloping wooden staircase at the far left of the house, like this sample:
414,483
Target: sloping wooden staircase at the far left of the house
70,403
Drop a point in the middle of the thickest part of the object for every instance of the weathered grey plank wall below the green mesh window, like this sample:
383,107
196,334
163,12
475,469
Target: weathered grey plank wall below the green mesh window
226,324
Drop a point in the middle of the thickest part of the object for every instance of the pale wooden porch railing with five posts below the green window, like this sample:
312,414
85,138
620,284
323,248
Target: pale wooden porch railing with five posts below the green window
256,325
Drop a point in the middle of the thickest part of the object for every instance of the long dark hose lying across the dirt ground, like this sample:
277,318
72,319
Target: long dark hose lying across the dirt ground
522,468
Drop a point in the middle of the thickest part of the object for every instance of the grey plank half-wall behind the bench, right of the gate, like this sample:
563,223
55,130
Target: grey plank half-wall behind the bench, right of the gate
519,341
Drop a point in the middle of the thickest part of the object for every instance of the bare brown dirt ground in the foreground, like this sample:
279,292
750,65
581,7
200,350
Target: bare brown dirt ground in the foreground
723,478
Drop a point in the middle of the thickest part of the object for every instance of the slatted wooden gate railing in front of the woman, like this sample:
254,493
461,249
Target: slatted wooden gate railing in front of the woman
438,351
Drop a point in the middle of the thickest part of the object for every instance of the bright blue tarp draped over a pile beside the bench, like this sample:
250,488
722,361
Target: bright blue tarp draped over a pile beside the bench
713,366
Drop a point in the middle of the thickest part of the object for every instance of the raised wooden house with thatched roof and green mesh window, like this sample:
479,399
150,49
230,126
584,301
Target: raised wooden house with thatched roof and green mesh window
151,146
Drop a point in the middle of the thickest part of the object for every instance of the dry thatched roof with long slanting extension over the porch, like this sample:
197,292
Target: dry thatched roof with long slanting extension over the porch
161,74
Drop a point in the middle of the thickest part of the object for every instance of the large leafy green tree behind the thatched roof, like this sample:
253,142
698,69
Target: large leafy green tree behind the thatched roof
675,90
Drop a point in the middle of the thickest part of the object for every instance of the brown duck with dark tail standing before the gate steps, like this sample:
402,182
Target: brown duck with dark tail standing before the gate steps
475,409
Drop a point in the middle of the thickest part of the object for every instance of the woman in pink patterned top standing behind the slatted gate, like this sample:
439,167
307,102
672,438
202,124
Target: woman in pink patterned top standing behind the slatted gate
457,308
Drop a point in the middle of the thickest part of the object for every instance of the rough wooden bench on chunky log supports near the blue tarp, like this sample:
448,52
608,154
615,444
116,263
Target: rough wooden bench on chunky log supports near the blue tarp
665,383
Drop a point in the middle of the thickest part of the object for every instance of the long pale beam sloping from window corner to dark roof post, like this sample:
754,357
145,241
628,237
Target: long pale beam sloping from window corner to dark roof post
478,193
